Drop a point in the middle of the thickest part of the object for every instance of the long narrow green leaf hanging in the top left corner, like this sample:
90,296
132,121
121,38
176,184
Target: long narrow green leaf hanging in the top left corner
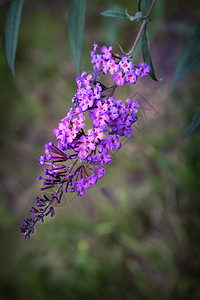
12,30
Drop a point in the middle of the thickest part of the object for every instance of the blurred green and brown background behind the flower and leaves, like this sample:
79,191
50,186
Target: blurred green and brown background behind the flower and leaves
136,234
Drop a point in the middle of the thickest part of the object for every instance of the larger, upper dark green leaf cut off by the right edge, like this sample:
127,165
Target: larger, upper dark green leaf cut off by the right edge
190,57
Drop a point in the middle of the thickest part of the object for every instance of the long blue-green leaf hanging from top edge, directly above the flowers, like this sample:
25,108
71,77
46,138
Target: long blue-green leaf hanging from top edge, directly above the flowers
76,29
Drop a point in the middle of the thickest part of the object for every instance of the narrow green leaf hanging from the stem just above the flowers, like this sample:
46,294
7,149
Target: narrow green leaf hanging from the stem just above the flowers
147,54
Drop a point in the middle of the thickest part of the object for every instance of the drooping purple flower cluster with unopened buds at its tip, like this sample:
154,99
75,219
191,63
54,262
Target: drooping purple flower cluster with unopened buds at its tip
78,160
